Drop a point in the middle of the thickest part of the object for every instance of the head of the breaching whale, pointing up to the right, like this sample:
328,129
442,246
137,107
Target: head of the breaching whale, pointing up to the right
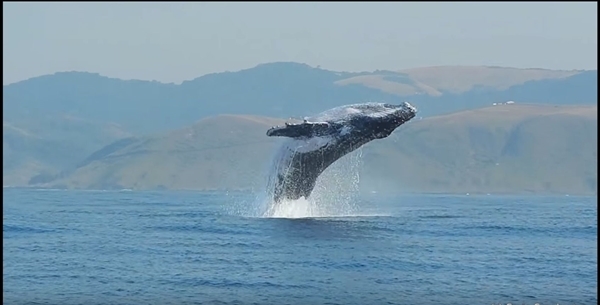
379,120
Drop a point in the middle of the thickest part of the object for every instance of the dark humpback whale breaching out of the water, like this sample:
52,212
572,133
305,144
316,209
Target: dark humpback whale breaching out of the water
319,141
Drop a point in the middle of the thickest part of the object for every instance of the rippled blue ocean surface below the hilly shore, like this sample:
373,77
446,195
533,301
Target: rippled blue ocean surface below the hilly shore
128,247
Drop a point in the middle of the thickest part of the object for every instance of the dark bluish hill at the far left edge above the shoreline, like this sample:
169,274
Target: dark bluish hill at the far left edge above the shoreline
34,149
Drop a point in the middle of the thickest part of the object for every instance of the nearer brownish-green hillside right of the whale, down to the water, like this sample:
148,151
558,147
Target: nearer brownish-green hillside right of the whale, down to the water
499,149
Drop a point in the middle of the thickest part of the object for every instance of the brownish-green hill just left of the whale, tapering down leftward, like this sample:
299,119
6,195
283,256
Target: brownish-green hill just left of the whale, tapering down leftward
226,151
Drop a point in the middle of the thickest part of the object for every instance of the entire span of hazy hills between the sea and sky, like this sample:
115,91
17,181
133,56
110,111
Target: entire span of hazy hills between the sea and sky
83,130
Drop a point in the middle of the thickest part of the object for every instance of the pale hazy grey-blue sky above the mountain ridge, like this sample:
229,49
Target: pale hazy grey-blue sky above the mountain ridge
172,42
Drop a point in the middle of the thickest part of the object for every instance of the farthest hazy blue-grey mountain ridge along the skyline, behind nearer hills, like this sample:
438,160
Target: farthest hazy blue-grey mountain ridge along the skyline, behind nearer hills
284,90
